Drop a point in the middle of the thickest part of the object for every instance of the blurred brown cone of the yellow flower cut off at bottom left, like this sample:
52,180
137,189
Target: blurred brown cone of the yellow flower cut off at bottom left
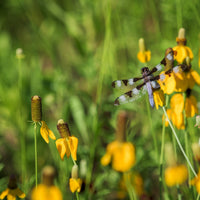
48,175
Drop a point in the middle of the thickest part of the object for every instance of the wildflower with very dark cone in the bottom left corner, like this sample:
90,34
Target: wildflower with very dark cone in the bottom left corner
12,191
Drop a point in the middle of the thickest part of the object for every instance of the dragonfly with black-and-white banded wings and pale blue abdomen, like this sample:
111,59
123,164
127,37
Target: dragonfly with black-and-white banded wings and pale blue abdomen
148,82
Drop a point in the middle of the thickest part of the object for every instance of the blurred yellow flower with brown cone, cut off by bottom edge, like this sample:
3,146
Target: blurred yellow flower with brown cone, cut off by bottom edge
47,190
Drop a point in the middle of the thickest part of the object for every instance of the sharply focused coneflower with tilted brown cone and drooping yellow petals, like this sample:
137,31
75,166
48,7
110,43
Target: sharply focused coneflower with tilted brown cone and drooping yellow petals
67,144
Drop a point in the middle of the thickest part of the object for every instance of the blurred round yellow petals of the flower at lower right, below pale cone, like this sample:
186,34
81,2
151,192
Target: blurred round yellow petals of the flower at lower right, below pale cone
176,175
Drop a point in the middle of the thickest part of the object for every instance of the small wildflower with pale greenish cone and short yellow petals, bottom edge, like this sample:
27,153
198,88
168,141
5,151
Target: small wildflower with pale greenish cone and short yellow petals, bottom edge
75,182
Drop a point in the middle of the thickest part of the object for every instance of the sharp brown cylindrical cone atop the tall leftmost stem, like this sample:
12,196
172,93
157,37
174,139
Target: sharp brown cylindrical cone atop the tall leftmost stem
36,108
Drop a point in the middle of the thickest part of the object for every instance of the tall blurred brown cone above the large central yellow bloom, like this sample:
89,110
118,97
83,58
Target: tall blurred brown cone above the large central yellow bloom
121,126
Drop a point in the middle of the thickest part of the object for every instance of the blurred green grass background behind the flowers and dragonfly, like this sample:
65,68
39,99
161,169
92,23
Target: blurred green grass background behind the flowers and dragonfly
73,51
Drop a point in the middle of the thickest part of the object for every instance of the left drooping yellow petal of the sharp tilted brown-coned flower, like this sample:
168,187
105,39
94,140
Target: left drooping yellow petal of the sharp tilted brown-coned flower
62,147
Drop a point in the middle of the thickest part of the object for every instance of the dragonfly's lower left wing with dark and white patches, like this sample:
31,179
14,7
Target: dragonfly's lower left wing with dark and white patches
129,96
